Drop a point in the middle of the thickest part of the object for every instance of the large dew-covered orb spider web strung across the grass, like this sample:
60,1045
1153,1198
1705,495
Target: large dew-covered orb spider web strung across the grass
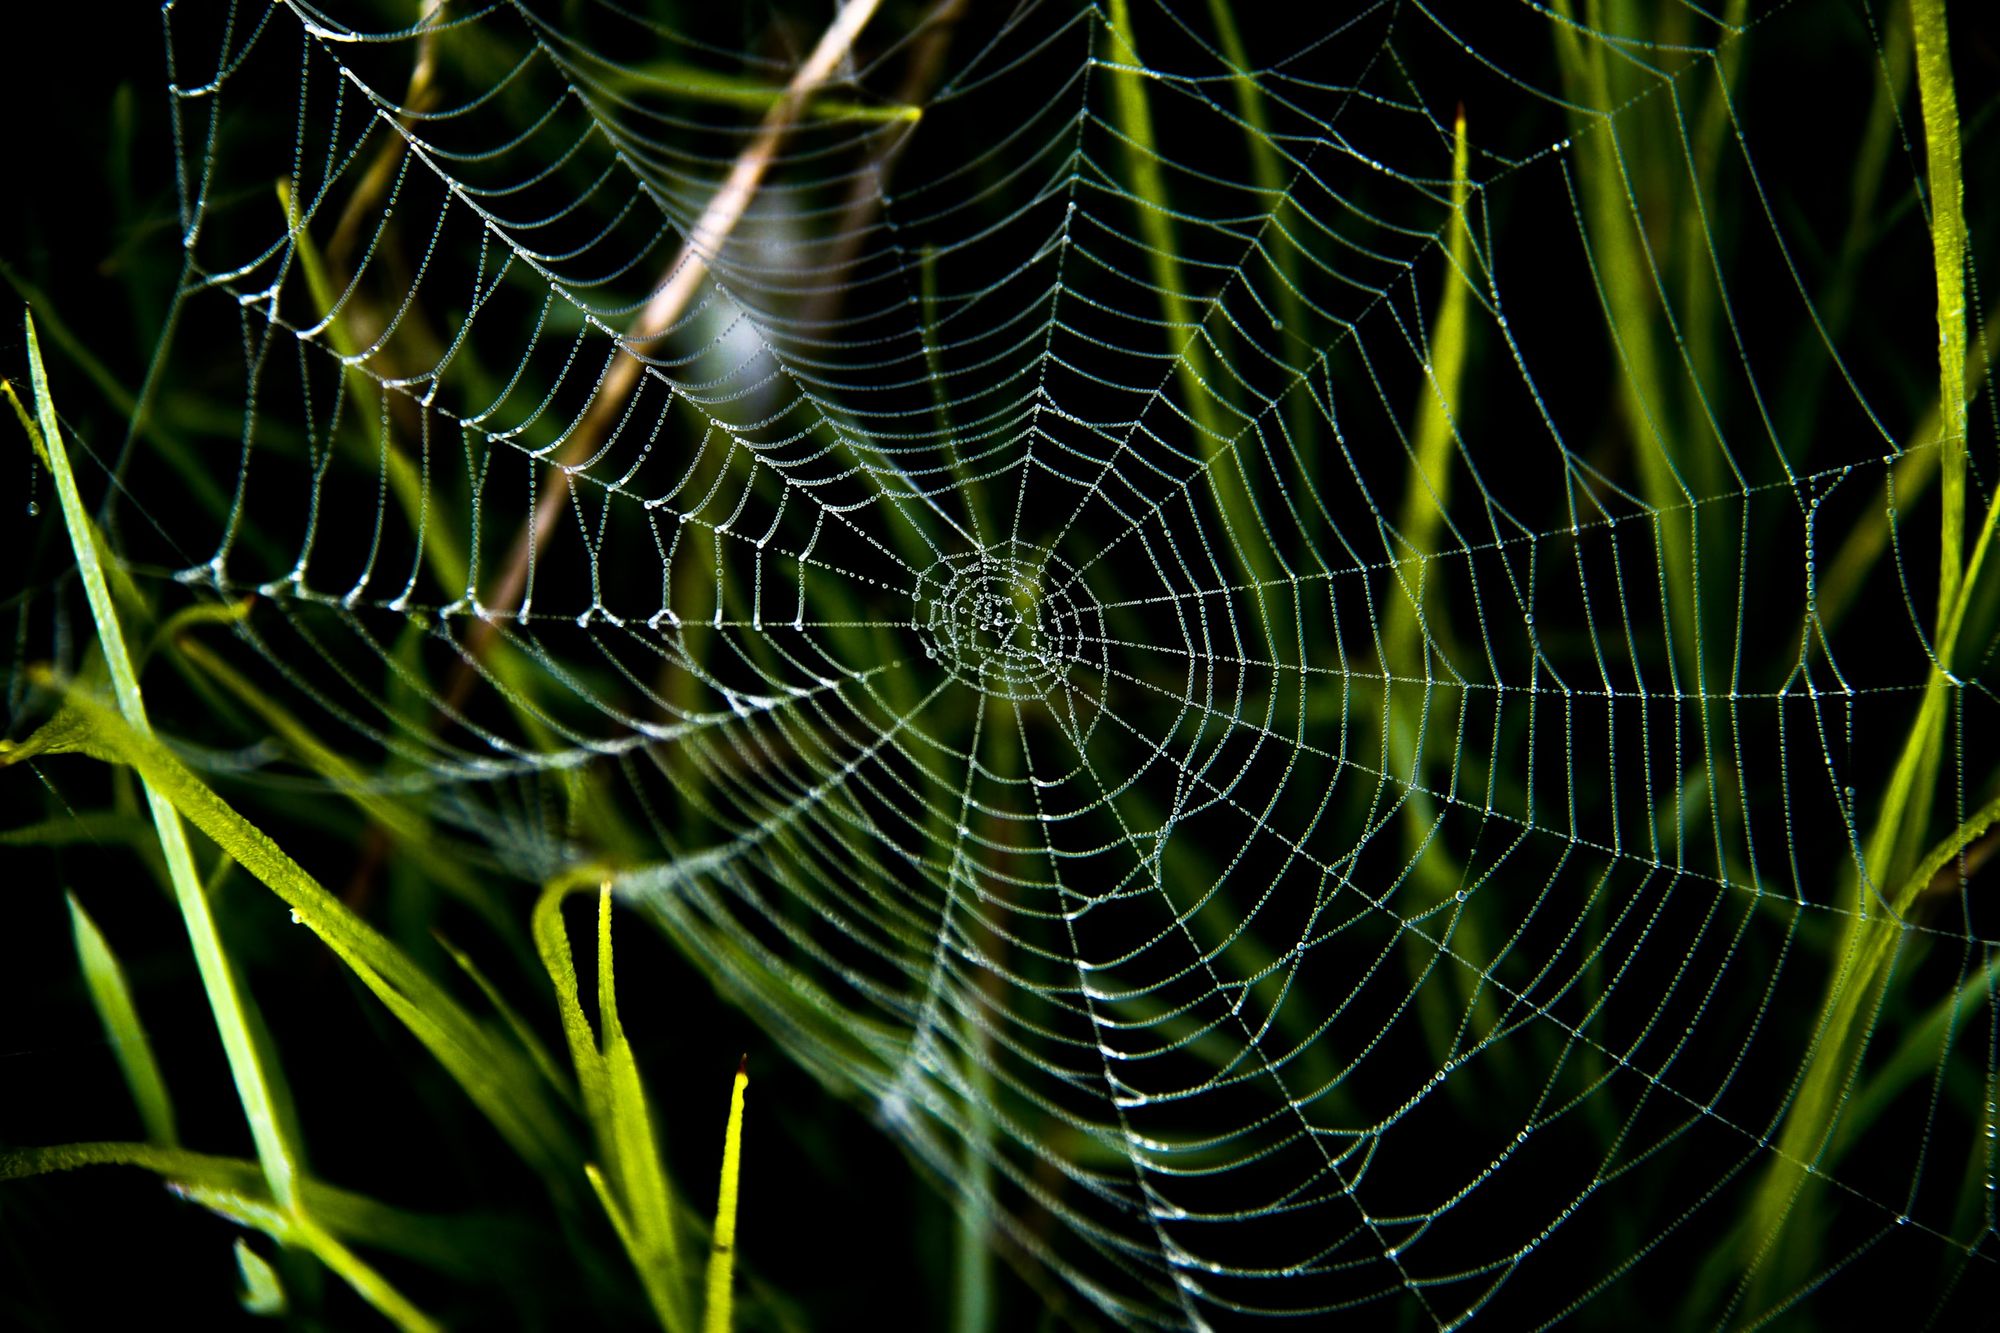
1283,800
